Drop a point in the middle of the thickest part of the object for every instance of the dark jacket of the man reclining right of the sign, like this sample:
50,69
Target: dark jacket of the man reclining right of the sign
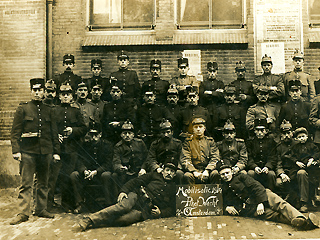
244,193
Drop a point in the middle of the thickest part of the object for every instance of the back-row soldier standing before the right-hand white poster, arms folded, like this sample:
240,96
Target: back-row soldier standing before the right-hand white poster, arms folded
273,82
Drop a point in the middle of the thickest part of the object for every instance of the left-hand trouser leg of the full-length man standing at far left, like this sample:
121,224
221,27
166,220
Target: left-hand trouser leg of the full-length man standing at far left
27,170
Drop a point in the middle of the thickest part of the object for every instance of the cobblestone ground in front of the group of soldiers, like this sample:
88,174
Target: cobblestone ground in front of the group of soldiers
64,226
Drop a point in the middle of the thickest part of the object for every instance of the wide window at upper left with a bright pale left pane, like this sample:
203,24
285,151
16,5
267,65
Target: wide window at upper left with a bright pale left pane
121,14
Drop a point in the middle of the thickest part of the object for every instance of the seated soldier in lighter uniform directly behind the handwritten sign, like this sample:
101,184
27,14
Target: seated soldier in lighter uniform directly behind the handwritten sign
199,165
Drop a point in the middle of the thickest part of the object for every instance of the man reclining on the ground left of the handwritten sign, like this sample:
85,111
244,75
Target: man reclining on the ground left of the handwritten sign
149,196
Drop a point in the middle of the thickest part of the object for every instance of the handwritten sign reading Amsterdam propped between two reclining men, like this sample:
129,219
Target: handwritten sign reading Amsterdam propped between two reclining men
199,200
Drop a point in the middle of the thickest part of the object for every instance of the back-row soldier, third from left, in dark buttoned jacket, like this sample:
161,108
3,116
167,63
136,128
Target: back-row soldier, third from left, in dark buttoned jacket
127,80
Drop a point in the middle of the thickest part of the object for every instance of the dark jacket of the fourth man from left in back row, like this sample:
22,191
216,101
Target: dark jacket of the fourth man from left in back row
160,88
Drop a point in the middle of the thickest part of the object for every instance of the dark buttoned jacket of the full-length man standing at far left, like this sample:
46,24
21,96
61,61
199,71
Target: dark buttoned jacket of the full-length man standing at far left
34,129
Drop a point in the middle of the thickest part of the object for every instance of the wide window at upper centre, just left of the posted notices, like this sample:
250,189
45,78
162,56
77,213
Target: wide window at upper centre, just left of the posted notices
195,14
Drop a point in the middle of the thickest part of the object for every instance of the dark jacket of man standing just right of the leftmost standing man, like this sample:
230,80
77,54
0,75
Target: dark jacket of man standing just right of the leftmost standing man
68,116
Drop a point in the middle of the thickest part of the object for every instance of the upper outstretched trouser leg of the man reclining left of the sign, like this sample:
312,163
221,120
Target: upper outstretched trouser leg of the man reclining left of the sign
107,215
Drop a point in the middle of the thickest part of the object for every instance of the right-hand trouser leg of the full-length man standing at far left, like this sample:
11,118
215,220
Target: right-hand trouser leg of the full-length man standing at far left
42,176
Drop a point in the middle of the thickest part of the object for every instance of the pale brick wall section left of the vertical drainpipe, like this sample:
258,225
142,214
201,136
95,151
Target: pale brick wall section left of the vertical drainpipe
22,55
